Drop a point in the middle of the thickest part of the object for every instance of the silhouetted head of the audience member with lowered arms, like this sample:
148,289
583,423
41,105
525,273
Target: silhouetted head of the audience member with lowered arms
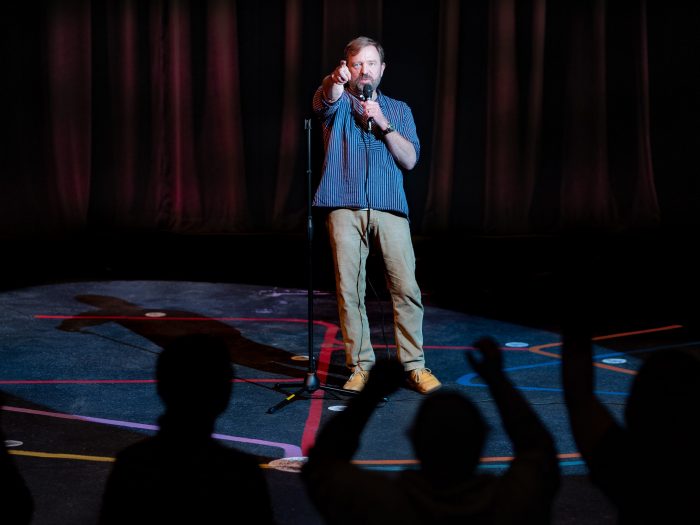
194,376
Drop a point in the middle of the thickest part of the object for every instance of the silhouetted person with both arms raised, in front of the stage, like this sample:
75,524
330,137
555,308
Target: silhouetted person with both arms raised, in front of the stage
447,434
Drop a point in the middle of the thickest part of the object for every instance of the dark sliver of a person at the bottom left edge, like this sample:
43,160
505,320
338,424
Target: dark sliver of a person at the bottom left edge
16,502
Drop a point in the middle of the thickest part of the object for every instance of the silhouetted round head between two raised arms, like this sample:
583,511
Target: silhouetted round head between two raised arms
448,435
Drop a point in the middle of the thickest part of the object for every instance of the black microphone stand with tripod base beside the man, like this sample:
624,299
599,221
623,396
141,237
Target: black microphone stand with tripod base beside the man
311,383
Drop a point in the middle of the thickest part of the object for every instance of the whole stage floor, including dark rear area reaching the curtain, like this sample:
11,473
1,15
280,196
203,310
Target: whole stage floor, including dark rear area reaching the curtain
82,325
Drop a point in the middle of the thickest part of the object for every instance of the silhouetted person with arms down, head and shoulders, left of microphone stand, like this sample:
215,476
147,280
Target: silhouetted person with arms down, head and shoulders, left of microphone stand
183,475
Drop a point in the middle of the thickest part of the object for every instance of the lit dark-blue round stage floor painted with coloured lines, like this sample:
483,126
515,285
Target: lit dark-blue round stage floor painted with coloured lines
77,373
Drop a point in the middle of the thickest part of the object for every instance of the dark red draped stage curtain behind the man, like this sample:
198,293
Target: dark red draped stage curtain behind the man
184,116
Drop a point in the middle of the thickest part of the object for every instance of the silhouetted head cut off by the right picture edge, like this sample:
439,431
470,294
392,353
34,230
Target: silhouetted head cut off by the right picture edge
664,401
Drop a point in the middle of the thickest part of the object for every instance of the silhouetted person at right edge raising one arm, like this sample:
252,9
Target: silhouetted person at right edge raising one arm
648,467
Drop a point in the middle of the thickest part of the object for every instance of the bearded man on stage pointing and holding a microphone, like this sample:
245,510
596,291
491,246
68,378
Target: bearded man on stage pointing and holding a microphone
370,140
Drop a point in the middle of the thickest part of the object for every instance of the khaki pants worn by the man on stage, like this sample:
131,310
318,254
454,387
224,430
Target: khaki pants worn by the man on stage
351,232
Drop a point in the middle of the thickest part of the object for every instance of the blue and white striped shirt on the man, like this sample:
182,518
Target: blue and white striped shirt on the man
359,170
